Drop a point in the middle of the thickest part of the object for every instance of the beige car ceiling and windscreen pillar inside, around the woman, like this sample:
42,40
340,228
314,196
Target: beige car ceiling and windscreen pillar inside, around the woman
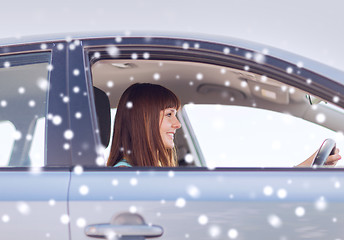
201,83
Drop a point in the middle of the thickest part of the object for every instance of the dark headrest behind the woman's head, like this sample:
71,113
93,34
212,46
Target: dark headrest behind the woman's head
102,104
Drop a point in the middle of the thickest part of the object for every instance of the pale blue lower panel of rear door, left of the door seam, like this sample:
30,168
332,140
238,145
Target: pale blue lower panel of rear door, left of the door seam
34,204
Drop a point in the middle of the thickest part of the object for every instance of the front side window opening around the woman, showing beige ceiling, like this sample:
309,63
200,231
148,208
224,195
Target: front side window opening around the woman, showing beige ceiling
230,117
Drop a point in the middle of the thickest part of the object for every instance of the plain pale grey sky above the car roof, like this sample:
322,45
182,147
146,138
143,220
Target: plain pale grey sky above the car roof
309,28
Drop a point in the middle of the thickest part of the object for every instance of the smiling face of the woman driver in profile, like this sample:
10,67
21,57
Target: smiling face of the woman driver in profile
168,126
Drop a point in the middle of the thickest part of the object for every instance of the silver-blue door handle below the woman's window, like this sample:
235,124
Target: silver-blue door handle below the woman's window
124,225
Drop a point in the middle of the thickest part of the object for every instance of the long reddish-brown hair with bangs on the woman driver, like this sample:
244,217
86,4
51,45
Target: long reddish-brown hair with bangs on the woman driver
136,136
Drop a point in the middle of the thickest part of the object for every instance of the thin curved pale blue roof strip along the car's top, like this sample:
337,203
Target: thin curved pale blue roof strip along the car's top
302,62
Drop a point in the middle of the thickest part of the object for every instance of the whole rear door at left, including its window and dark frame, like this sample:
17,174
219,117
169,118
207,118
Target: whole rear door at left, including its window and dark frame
34,176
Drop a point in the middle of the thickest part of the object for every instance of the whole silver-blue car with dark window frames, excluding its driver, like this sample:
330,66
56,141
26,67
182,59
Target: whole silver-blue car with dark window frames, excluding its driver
249,115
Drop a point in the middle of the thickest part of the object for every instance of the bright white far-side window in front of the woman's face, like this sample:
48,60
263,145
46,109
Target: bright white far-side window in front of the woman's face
237,136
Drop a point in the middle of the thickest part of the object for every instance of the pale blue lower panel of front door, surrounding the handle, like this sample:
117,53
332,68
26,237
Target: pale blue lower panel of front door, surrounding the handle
208,204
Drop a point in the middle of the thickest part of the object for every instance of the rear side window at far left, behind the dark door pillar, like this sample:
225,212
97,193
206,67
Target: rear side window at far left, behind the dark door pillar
24,81
